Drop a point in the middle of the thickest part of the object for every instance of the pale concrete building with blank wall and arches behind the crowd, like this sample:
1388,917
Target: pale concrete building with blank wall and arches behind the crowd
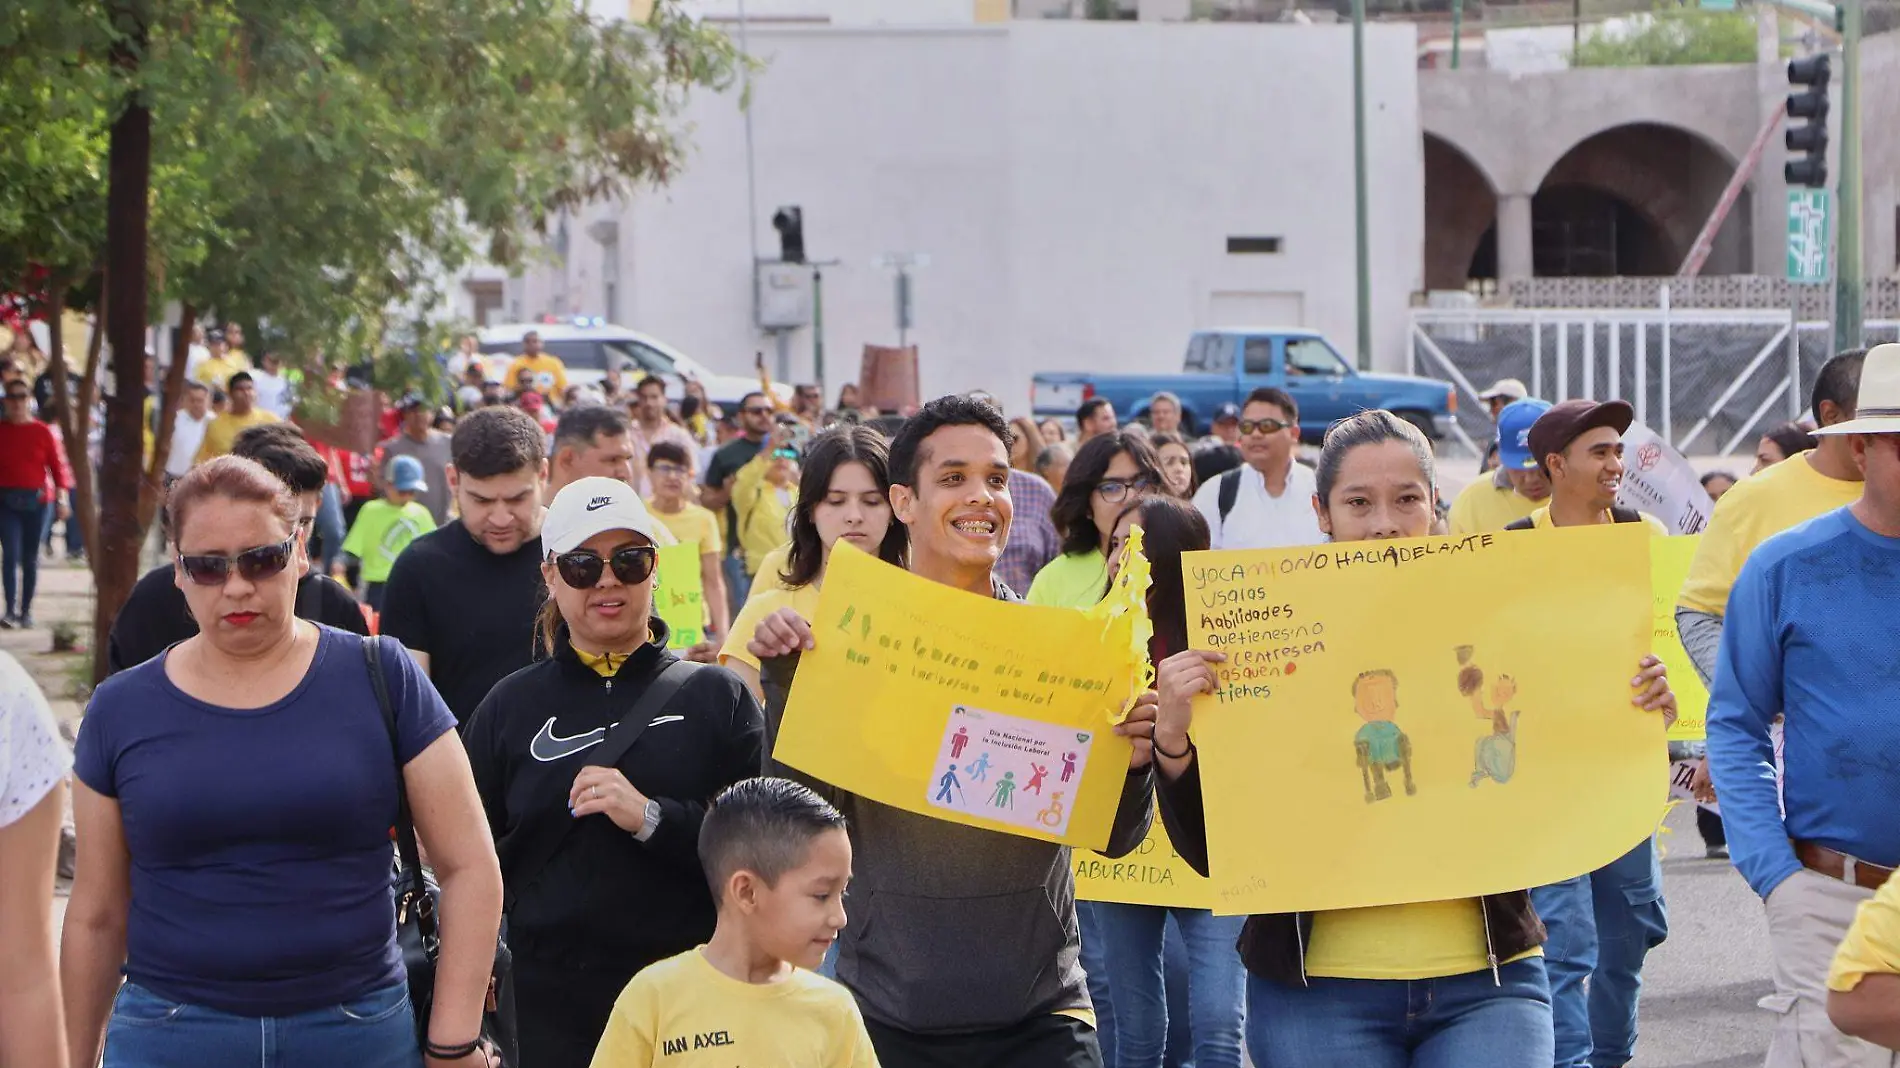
1076,187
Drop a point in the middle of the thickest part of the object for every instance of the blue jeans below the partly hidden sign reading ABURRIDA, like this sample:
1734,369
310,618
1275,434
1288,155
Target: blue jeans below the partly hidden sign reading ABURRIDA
1217,983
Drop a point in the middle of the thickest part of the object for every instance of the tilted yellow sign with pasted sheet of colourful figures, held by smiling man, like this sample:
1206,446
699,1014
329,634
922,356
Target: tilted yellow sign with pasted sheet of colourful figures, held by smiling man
964,708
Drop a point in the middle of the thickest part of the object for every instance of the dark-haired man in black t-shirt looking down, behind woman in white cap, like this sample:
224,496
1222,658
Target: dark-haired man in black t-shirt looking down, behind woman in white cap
465,600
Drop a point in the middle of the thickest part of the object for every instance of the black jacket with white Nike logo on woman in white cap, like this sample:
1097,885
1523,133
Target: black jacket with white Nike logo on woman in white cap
607,900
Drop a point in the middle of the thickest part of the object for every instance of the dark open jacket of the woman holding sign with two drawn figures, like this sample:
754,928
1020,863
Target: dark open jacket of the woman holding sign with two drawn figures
1274,947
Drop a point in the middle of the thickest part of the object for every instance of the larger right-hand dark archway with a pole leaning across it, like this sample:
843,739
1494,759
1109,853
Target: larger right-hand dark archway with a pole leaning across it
1631,202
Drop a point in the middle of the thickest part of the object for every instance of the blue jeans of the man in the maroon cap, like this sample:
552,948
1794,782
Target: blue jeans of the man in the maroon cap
1603,925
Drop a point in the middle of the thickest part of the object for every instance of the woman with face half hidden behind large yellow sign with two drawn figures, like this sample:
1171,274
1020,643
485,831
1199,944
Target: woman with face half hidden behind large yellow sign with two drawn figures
1424,985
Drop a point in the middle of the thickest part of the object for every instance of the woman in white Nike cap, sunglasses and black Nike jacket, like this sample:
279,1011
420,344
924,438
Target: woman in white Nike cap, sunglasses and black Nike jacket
601,864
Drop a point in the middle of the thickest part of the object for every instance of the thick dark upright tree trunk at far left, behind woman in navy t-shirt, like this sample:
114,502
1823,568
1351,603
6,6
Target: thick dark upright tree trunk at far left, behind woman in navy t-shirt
128,218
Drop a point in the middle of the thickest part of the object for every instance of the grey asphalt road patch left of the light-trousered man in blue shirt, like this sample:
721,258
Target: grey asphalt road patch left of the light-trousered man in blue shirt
1703,983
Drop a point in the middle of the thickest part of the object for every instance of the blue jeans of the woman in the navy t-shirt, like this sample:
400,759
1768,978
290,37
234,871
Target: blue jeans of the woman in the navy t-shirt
375,1031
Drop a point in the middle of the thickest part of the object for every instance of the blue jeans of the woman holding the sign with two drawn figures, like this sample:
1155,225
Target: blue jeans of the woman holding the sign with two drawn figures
1462,1021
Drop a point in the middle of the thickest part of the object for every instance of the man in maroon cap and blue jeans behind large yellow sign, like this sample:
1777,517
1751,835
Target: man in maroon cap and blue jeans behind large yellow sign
1603,925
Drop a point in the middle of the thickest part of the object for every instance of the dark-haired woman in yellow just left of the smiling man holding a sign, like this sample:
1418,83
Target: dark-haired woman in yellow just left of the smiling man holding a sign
843,495
